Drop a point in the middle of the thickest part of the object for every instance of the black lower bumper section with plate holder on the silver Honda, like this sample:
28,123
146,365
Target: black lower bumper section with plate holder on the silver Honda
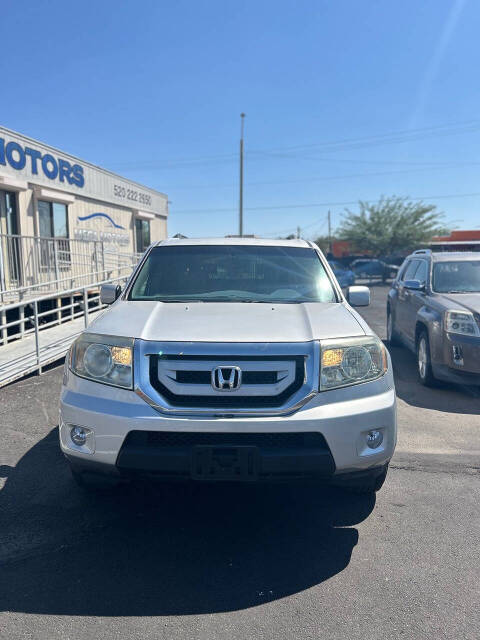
220,456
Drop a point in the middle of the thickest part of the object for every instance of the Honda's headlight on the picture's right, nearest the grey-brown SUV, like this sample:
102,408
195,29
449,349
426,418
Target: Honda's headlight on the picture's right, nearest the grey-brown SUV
351,361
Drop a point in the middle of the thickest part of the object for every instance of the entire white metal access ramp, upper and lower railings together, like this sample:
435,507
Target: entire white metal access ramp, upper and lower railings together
49,291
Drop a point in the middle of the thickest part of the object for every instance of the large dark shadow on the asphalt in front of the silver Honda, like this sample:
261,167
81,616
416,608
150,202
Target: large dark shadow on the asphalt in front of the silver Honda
170,550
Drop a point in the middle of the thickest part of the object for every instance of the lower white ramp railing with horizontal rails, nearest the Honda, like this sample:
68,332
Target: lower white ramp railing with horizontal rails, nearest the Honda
31,355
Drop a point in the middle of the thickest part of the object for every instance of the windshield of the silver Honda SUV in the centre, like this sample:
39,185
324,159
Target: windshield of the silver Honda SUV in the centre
225,273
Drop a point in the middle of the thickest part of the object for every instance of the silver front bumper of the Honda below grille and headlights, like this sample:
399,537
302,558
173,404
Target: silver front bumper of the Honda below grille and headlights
342,418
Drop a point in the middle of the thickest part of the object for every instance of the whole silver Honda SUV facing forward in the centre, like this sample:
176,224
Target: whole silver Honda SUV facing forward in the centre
230,359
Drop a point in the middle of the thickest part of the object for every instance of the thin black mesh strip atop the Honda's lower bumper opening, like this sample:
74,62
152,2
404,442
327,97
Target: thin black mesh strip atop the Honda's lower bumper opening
176,439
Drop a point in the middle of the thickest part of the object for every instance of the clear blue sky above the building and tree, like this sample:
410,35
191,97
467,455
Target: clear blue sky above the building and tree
345,99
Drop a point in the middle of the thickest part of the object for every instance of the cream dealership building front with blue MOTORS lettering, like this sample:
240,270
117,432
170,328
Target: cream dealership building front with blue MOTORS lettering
48,194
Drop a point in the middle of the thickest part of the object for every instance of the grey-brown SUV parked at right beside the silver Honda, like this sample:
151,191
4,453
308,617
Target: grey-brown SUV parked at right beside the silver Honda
433,308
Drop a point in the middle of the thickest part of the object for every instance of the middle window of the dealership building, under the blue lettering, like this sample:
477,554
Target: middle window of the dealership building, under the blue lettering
53,229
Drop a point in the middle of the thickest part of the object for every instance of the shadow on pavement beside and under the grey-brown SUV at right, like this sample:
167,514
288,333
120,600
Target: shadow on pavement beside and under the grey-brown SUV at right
444,397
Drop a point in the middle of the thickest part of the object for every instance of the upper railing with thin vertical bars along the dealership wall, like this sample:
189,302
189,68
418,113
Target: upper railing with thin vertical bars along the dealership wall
30,266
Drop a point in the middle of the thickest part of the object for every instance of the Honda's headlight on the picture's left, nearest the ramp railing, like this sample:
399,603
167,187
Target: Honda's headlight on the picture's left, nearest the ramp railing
106,359
